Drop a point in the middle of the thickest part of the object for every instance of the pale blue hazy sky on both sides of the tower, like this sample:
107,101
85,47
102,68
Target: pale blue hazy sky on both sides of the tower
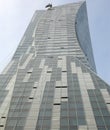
15,16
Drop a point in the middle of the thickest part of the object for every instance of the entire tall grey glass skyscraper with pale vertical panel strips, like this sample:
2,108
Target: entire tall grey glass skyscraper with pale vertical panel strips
51,82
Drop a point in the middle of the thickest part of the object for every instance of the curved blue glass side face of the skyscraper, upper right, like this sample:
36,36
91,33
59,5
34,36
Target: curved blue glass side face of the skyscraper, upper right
83,34
